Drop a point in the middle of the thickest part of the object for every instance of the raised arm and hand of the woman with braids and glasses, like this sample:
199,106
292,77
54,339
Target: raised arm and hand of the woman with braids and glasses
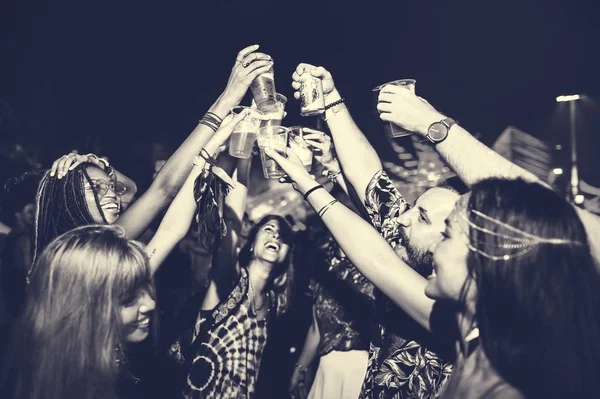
173,174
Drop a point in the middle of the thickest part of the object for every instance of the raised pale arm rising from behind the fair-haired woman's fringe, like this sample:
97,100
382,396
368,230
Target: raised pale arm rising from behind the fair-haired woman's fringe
179,216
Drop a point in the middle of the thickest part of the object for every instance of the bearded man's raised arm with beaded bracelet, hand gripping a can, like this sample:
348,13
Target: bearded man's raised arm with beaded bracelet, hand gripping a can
350,143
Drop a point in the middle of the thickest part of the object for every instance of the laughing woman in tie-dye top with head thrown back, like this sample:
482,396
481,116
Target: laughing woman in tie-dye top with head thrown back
221,350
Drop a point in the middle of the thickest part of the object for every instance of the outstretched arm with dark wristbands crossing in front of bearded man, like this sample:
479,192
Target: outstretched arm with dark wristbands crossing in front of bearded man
365,247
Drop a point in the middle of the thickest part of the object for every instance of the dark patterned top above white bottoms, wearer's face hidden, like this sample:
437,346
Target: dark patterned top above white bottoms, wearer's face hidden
340,311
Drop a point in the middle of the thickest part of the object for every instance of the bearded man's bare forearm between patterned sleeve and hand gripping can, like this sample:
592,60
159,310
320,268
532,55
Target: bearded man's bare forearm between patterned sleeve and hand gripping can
351,146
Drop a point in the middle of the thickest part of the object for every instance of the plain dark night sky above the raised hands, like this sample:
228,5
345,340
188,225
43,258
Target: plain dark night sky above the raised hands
128,72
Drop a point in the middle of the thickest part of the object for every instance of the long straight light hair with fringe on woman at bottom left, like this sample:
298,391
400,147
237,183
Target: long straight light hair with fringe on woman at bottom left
69,338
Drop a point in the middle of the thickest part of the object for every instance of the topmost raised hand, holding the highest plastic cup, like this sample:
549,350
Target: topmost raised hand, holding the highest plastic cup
248,65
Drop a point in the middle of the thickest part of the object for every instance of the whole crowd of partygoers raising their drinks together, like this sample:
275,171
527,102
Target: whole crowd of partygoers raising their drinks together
485,287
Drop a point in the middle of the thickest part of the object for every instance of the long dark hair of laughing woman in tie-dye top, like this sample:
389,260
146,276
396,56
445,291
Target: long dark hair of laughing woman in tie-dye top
283,274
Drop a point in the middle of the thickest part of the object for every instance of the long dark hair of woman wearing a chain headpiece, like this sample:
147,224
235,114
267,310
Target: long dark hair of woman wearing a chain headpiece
538,313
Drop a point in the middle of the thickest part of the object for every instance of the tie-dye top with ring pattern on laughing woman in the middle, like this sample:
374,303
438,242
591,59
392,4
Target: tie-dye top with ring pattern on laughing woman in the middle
224,358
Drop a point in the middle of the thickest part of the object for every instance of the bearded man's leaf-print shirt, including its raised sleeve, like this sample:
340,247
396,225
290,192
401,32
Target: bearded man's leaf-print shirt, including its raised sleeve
400,363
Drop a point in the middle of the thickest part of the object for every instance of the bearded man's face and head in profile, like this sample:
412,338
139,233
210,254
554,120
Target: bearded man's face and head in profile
422,225
